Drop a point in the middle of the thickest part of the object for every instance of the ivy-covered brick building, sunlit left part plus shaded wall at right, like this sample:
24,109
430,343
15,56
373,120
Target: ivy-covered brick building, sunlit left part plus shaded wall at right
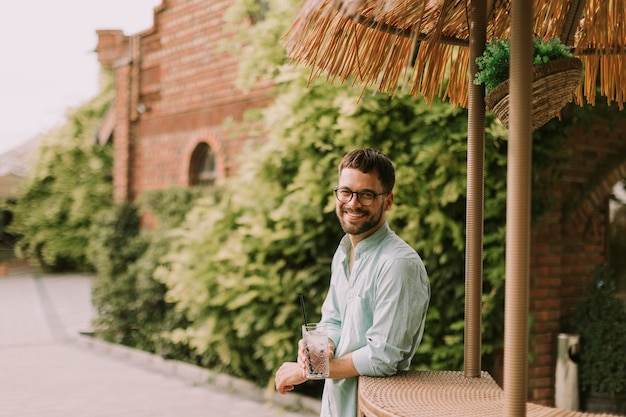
175,87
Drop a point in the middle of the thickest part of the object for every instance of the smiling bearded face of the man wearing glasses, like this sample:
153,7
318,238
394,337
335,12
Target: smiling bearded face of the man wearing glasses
356,219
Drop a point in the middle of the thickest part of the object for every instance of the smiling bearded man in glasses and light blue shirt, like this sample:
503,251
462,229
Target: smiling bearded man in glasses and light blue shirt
379,291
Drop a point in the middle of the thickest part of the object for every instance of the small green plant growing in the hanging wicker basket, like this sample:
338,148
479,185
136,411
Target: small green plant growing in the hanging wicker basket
493,64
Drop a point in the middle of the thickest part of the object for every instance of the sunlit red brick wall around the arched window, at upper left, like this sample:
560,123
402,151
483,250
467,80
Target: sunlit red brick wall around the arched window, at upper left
175,88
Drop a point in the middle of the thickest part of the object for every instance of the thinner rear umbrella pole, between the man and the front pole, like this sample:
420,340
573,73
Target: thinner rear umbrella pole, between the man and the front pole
475,195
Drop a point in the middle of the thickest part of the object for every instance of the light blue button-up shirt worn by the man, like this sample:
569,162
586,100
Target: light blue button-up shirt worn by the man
377,312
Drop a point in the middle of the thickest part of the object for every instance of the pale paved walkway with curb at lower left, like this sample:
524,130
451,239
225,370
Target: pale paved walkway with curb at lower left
47,369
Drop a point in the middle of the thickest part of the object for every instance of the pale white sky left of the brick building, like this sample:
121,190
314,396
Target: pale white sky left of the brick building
48,64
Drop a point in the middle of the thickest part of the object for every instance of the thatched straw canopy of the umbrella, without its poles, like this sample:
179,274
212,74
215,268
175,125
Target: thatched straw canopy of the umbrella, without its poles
375,41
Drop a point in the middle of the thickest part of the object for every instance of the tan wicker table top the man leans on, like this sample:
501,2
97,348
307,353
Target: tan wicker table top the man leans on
440,393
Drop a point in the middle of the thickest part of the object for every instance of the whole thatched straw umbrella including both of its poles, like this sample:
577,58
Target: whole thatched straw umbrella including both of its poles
429,47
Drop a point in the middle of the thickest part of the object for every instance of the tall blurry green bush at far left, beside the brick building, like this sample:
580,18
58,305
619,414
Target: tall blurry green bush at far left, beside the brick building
69,184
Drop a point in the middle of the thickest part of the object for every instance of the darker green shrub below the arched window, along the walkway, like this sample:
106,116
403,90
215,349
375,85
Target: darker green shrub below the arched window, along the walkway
130,303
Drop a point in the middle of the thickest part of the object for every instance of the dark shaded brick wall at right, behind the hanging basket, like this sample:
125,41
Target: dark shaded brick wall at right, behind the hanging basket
571,240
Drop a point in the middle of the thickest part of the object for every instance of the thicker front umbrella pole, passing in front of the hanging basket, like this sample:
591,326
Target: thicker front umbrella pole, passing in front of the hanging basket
518,211
